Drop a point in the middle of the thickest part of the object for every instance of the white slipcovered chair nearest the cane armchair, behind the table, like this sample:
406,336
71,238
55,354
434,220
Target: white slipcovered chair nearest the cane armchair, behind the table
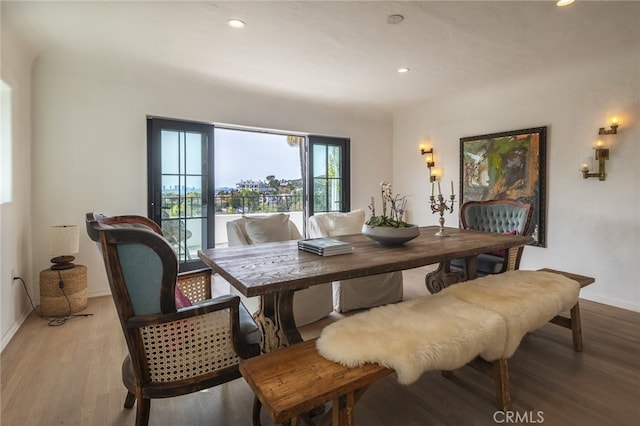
310,304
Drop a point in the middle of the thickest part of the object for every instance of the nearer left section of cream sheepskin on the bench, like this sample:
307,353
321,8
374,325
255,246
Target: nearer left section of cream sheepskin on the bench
436,332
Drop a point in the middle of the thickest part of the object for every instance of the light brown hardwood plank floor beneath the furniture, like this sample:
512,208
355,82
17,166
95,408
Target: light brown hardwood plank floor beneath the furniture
71,375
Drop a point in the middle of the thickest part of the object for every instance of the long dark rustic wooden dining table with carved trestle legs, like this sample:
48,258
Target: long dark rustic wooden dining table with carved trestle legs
274,271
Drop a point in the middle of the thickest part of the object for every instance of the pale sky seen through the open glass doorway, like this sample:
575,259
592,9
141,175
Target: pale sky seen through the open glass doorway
241,155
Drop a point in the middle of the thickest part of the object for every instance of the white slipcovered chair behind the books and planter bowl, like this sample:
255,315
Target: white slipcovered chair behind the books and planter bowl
356,293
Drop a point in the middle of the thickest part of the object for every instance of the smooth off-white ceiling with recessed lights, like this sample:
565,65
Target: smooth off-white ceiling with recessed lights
338,51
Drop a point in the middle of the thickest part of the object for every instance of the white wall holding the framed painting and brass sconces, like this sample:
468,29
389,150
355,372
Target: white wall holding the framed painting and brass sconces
592,226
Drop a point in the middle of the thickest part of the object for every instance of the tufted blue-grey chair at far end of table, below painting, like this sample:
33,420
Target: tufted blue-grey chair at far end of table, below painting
503,216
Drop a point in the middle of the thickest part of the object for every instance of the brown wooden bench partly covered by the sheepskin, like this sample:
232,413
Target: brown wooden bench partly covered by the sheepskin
292,381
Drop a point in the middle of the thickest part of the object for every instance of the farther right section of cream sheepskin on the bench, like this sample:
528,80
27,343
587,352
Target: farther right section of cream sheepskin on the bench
525,299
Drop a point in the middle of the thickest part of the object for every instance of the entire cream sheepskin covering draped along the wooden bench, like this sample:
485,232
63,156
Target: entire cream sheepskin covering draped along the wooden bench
486,317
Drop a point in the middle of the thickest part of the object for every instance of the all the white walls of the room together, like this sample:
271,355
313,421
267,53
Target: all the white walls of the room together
80,145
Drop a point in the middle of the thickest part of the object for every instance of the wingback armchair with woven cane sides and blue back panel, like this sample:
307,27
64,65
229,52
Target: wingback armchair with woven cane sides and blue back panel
172,350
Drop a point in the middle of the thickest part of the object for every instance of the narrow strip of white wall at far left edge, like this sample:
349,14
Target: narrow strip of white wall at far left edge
15,216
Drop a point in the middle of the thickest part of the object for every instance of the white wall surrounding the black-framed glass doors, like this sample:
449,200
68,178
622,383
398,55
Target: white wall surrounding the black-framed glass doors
89,149
